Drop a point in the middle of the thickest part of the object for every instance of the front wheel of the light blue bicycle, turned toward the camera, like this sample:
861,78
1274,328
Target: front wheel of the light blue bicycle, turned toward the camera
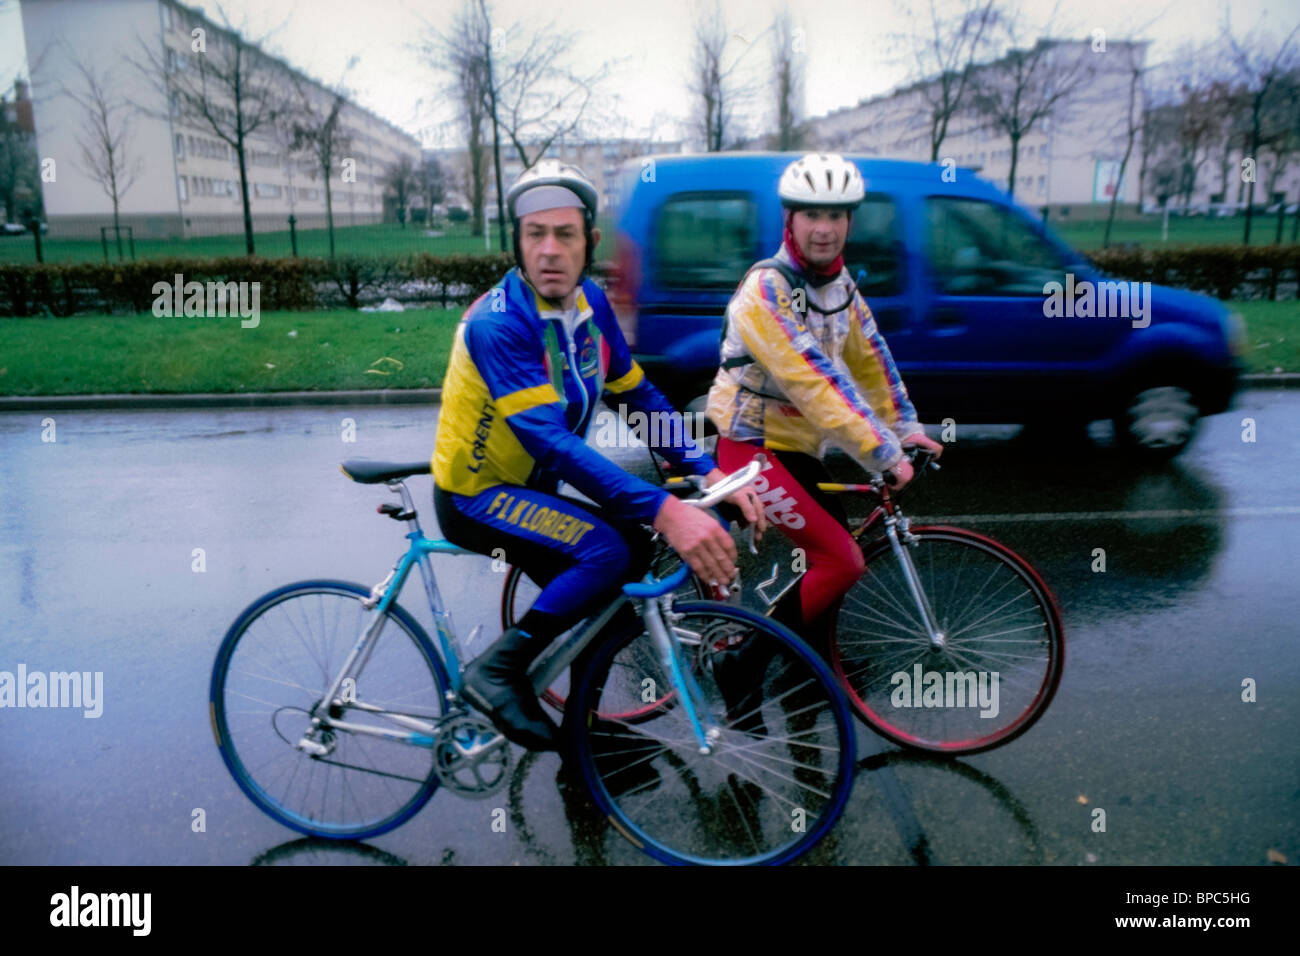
777,780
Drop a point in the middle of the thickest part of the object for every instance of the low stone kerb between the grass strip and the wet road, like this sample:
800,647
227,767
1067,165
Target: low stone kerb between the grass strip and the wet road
250,400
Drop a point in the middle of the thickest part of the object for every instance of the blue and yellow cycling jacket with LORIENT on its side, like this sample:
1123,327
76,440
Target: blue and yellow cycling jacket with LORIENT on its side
522,391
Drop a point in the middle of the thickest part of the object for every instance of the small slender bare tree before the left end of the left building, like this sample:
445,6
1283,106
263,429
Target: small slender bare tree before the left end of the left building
105,140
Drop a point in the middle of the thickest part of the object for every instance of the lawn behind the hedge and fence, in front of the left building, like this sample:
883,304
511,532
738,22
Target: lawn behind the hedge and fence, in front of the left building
380,240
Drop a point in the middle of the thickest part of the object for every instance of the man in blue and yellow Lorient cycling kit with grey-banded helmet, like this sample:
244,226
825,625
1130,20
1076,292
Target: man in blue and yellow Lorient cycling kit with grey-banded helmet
531,360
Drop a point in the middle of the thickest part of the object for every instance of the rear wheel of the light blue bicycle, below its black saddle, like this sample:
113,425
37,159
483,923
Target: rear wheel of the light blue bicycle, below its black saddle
270,678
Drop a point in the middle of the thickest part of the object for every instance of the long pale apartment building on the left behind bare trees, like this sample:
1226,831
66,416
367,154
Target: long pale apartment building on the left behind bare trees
188,180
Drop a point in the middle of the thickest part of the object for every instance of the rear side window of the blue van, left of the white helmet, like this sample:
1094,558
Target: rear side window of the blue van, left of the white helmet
705,241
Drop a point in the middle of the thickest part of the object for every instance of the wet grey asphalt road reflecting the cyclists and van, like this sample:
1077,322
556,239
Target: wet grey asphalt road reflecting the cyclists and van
98,535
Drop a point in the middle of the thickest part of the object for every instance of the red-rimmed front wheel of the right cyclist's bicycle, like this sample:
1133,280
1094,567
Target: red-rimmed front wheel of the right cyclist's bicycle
1002,656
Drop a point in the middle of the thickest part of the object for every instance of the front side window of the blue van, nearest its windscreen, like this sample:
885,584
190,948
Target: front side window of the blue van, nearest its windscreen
986,249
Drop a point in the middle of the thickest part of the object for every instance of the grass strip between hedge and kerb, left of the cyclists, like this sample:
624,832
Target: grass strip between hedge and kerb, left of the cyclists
287,352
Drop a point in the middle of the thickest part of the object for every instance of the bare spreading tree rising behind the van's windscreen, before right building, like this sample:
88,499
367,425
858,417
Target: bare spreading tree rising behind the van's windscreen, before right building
1026,86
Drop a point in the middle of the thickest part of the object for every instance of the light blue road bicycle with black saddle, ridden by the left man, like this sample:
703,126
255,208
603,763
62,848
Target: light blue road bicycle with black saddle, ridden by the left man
353,749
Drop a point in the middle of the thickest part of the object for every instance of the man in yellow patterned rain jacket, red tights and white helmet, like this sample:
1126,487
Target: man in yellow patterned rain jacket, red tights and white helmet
804,369
